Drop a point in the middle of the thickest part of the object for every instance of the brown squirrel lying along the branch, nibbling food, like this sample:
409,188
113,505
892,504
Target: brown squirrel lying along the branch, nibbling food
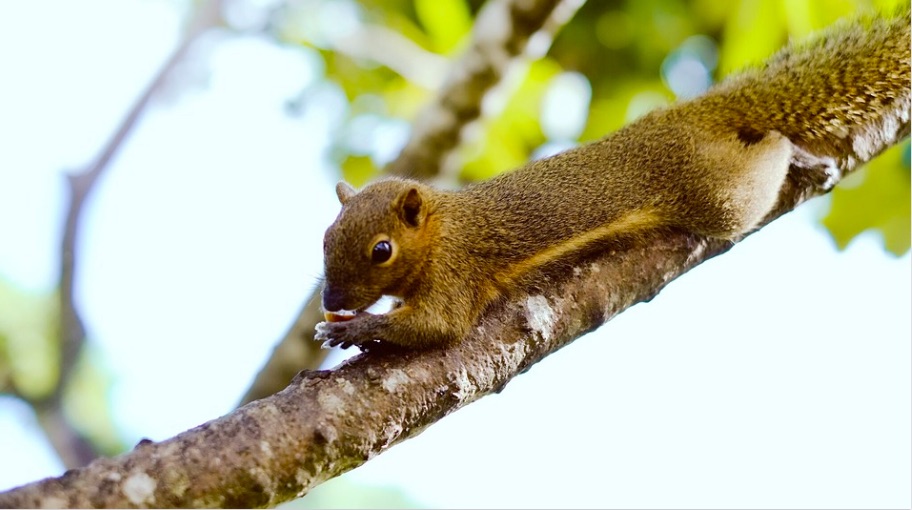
713,166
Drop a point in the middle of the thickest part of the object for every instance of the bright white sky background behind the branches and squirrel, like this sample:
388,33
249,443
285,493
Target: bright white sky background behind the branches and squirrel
775,376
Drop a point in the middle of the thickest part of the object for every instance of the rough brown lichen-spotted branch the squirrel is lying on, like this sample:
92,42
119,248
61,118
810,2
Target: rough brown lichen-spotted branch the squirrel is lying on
328,422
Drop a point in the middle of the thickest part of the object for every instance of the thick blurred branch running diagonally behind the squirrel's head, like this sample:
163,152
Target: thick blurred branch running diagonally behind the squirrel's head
501,34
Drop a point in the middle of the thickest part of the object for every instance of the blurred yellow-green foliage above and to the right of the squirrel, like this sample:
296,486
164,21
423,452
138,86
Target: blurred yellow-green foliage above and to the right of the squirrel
629,52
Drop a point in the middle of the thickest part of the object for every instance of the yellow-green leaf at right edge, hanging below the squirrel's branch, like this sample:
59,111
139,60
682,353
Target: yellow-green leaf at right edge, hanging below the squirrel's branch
880,202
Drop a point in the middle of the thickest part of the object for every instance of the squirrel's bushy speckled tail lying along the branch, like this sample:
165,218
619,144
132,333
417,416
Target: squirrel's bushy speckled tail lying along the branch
845,92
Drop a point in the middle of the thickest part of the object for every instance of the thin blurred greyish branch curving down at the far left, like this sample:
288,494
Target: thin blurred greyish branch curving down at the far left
74,448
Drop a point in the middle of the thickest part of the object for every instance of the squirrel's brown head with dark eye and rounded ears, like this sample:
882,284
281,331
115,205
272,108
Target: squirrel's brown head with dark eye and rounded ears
376,243
